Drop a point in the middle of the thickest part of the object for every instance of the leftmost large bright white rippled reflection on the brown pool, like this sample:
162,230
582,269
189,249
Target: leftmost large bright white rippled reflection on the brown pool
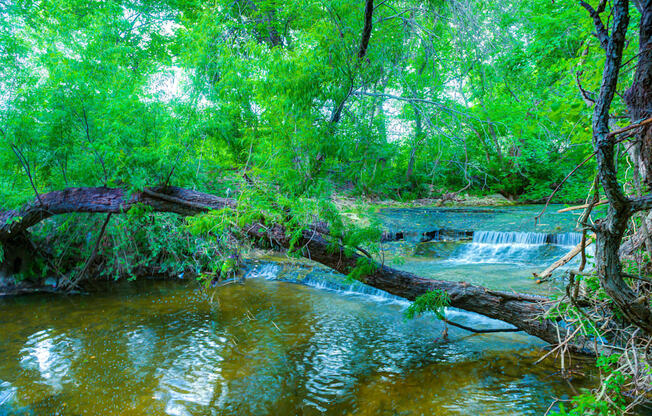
51,354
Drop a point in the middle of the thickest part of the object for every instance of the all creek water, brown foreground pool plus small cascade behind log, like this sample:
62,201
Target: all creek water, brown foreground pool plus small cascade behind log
271,347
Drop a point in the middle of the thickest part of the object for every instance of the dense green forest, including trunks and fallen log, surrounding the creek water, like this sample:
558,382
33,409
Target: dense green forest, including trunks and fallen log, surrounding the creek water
185,137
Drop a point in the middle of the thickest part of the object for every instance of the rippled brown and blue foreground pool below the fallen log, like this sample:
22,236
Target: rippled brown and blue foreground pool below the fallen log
269,348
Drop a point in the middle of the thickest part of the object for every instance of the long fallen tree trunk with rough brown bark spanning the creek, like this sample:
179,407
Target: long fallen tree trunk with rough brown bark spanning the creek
521,310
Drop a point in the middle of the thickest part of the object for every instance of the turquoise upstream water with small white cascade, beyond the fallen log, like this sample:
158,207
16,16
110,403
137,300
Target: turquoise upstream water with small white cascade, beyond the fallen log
506,248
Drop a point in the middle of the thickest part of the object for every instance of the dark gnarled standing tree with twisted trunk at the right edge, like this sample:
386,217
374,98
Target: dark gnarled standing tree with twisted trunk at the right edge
610,230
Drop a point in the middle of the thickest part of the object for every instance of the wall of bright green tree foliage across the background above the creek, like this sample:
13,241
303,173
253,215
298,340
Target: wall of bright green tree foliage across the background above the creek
131,93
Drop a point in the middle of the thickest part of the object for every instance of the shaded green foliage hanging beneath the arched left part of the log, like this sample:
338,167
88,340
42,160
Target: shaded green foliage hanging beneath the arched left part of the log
137,244
